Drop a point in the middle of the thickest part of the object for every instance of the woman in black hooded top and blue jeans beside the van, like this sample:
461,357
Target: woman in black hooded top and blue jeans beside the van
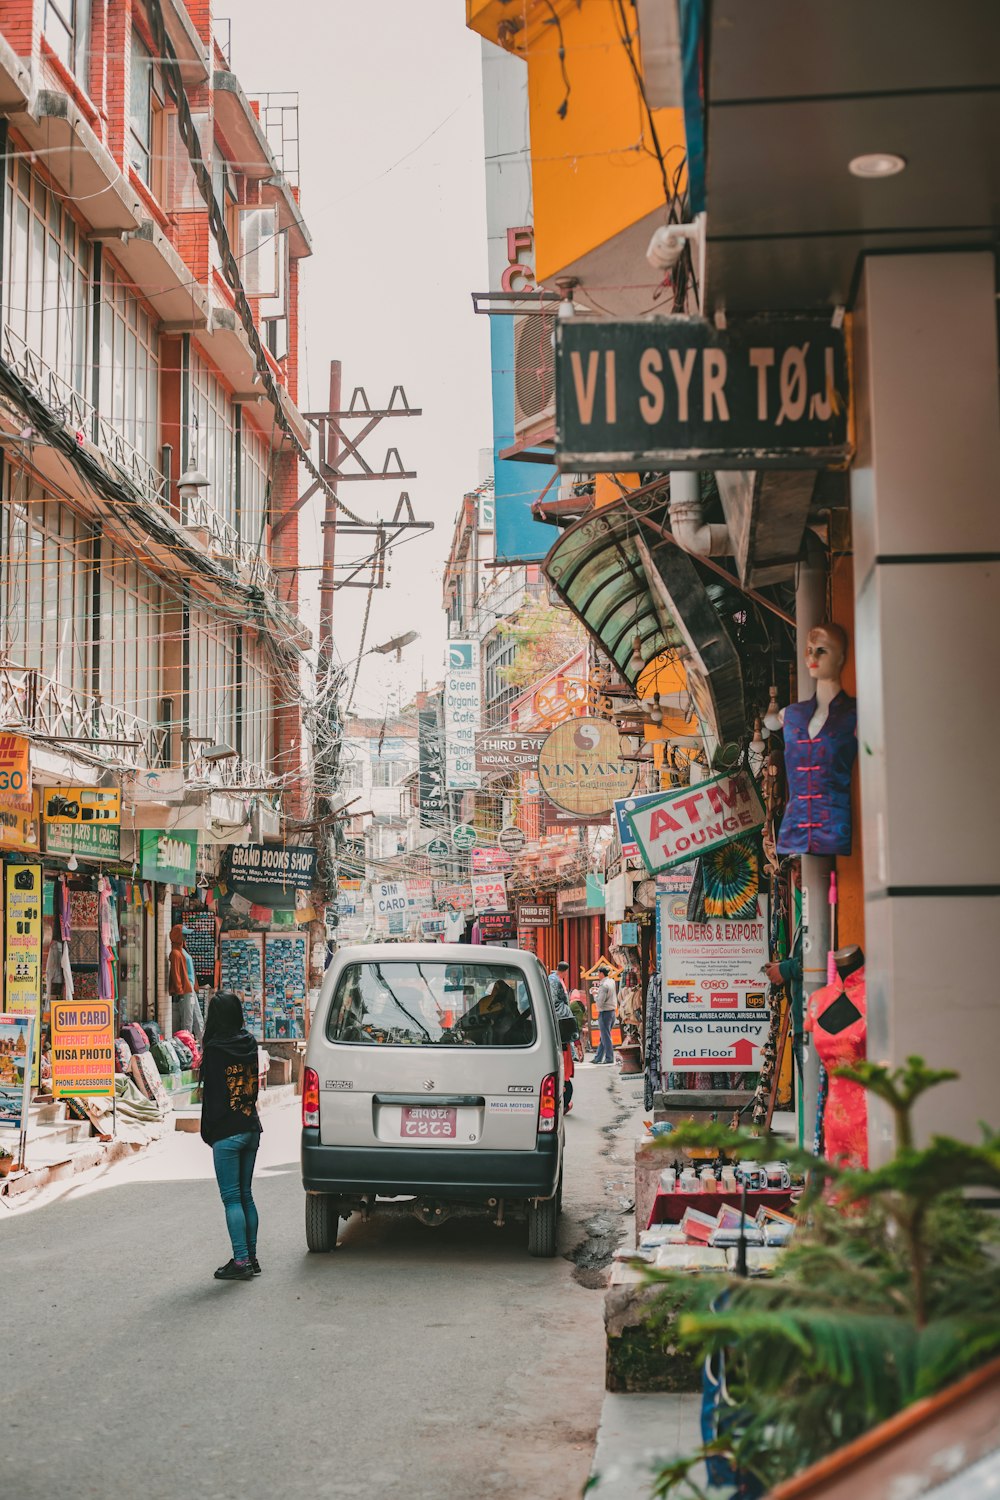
232,1126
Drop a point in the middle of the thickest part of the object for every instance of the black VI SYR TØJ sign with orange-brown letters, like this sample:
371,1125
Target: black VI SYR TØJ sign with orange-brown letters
683,394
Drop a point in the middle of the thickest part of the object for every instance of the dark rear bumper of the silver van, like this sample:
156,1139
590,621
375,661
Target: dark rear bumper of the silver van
437,1172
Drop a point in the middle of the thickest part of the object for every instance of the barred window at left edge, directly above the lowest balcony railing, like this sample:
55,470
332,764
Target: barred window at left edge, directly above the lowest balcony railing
46,593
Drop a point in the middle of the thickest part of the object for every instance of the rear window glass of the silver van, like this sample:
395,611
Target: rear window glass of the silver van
433,1006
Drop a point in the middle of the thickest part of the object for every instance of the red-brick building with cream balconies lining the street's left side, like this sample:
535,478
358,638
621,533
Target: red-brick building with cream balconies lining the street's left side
149,440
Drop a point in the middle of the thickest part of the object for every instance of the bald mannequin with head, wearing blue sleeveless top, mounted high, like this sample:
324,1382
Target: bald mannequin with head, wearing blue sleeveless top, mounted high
821,748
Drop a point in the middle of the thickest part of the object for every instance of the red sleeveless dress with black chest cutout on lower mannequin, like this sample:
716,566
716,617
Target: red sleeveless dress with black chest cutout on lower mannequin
837,1018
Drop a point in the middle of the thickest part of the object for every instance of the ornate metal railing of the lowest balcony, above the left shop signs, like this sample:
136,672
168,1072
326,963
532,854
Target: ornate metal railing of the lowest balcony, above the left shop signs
35,703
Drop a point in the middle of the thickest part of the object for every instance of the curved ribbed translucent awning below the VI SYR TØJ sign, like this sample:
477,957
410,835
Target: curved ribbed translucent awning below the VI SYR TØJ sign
623,577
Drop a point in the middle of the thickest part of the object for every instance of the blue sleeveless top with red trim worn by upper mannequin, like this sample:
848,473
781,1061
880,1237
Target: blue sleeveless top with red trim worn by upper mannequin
819,770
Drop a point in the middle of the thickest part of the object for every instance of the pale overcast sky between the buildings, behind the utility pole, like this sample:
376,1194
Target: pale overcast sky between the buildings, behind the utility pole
394,194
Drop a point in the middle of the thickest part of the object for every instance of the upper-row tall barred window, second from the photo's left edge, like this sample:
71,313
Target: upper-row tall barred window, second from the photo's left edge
130,365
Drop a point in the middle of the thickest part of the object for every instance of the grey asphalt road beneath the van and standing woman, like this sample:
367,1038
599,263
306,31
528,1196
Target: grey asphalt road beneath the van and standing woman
412,1363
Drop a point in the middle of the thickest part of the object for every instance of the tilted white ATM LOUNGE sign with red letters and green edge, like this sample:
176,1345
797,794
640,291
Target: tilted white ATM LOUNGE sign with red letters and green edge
689,821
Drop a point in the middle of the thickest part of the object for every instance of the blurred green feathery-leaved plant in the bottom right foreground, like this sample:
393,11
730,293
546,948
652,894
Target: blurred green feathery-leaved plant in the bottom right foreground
890,1292
